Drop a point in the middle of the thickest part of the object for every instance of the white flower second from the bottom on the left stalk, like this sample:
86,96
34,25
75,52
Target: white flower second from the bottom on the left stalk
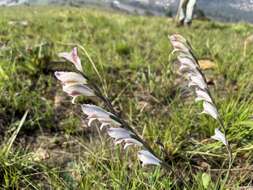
123,135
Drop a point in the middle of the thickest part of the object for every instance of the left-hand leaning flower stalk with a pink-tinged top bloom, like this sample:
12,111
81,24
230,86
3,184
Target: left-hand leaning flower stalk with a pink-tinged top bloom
77,84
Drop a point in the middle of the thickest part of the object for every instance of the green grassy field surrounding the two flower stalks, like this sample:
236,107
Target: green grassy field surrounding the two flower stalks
55,150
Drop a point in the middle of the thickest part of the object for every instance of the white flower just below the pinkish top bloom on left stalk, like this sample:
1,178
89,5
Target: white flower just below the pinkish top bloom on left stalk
70,78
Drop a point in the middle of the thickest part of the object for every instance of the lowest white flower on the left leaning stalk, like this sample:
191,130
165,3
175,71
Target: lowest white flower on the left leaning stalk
147,158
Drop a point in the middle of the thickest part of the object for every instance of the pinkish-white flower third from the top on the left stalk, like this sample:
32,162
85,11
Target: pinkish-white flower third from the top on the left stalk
76,90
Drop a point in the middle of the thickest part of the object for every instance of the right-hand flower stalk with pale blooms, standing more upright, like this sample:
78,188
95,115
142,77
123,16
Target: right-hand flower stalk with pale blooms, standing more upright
190,68
